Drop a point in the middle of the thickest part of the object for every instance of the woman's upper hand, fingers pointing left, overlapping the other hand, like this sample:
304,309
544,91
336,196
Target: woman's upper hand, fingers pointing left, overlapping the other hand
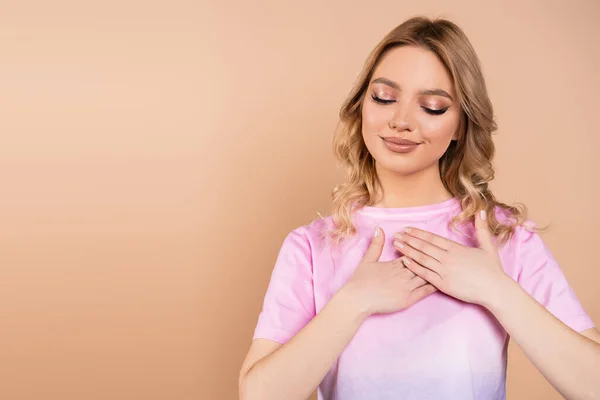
471,274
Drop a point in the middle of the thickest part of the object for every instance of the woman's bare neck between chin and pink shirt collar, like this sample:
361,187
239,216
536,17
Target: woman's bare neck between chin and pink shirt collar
419,189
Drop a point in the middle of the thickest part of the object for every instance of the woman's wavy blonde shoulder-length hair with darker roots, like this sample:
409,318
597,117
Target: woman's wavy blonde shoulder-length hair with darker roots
465,168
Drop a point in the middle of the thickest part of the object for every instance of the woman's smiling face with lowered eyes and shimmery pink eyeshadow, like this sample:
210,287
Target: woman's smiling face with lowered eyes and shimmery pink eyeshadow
410,112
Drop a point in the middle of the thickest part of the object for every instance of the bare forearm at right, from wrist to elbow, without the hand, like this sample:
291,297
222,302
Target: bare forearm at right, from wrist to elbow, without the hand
568,360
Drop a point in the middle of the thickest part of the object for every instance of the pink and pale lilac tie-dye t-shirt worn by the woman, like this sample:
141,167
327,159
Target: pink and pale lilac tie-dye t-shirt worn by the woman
440,347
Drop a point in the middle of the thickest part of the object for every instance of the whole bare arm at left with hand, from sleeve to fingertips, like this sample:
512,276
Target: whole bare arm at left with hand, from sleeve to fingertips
294,370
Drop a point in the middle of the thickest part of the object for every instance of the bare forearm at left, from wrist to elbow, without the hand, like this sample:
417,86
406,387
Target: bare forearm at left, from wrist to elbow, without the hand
297,368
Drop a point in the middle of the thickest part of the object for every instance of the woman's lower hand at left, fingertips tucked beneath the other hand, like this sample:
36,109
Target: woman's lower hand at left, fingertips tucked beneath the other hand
385,287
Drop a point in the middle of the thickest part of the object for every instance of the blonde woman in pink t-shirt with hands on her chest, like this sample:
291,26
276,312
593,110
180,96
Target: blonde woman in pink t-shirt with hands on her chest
411,288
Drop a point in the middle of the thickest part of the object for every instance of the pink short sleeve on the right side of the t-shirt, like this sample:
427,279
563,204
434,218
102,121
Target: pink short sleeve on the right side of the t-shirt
541,276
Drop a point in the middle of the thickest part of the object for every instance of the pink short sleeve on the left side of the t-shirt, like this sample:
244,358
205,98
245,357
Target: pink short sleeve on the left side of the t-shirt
289,301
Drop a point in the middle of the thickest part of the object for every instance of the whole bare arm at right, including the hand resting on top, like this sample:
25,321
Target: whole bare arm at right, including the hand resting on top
570,361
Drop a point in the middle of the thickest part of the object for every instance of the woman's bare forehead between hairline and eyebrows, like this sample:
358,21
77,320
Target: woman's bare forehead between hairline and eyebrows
414,68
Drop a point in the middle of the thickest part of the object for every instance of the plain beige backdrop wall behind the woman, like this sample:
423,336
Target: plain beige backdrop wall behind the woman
154,155
